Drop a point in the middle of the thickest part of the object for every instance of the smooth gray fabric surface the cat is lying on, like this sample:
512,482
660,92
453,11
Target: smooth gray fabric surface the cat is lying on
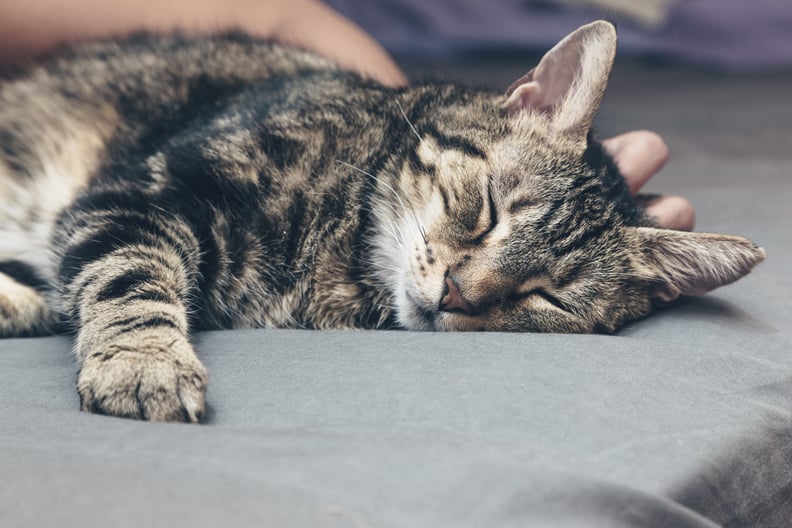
682,420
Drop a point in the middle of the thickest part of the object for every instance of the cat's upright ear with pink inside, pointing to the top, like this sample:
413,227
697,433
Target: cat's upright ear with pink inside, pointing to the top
570,80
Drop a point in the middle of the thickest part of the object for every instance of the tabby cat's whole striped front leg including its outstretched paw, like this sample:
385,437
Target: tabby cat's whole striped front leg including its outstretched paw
126,278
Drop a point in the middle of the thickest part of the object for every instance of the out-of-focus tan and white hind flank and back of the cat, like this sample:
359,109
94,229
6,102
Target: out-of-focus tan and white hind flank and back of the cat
65,118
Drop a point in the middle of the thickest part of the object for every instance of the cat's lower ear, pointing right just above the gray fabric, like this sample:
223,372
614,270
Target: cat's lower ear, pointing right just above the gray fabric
681,263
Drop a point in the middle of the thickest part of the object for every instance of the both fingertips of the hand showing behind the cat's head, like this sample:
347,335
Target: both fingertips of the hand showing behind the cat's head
640,155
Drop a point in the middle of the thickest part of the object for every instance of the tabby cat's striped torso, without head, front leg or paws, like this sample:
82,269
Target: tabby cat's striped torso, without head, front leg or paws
209,140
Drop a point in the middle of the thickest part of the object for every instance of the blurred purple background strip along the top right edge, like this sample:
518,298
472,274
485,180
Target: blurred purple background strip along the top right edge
735,35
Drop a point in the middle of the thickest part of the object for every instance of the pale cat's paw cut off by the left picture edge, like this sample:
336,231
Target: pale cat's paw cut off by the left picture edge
23,310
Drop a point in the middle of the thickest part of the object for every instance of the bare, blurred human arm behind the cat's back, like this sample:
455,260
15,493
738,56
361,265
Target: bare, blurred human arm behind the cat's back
31,27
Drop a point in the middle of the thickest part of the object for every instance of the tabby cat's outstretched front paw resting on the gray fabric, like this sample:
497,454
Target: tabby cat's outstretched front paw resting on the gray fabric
151,378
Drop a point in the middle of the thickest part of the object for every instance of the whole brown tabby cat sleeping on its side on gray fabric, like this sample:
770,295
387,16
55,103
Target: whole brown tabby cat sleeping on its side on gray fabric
162,184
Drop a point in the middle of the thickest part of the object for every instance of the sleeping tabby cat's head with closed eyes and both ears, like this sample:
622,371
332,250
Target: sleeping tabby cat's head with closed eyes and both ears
508,217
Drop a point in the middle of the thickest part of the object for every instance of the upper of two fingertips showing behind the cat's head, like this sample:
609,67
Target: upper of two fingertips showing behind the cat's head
639,155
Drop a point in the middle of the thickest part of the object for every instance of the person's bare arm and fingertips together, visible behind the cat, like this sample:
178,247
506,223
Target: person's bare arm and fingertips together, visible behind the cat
31,27
